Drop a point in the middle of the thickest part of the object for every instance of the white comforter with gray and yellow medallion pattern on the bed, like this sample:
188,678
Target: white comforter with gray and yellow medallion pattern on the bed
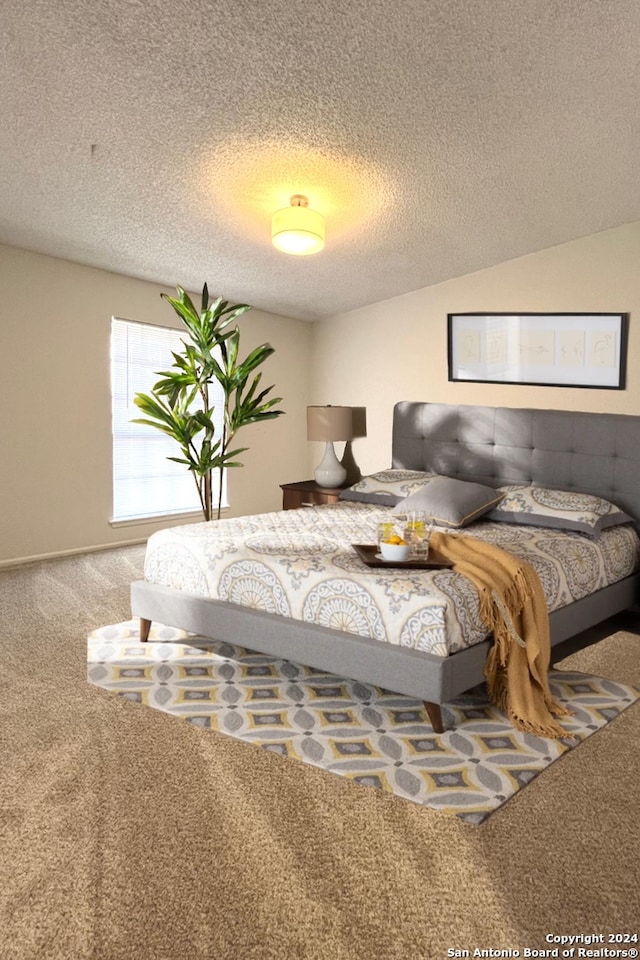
300,564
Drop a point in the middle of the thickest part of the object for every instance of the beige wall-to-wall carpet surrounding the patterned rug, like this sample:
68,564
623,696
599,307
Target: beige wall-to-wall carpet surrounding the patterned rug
127,836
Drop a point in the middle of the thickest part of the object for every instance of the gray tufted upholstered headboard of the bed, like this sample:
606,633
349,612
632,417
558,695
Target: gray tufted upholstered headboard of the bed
596,453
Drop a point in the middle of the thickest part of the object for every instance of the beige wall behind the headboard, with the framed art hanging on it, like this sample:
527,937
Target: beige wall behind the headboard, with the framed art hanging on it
397,349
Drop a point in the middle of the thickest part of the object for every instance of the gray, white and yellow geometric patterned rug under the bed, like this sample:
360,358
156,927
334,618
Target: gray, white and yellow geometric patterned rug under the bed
371,736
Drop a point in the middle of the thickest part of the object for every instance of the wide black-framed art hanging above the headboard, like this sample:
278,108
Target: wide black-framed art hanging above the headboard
545,349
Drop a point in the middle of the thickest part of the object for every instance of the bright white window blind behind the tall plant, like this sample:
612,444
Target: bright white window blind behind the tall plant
145,483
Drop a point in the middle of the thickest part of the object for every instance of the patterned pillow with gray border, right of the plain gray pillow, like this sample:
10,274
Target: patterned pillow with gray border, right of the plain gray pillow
561,509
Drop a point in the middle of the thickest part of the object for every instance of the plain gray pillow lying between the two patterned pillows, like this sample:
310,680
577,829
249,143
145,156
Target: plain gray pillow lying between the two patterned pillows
451,503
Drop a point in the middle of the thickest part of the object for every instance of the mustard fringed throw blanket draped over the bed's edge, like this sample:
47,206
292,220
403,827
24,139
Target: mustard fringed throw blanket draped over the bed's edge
513,607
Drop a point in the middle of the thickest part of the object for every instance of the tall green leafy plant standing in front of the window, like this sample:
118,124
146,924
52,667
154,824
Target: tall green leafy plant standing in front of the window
179,403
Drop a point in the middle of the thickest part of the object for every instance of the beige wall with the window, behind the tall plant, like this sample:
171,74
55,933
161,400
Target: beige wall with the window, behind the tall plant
55,426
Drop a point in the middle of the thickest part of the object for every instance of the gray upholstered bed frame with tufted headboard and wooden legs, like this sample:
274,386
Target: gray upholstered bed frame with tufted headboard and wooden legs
589,452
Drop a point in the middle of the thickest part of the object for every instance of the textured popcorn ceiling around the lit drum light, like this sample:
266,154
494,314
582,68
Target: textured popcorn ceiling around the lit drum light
436,137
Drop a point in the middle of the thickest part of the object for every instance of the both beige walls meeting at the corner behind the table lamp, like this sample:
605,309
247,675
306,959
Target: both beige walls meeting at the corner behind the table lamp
55,468
